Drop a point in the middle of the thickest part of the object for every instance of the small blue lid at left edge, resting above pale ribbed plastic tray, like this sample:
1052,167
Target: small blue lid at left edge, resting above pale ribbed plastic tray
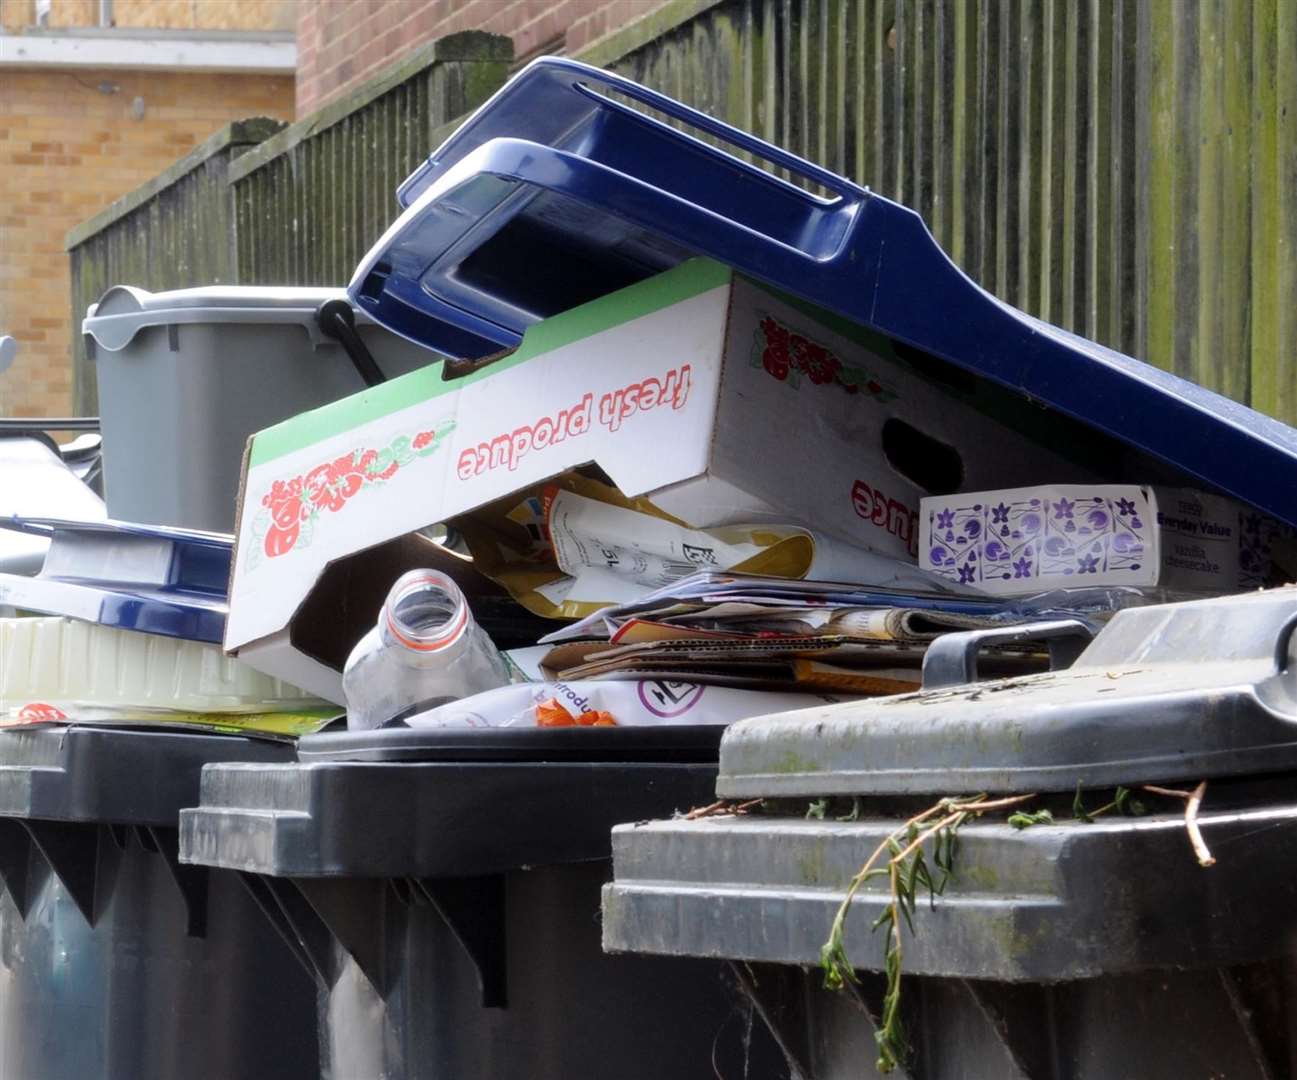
136,578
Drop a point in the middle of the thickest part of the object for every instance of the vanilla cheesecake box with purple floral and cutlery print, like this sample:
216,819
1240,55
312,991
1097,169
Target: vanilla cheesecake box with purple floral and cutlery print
1032,540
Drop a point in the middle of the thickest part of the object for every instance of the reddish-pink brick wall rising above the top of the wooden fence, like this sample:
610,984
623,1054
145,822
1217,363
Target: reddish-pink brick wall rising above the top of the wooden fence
342,43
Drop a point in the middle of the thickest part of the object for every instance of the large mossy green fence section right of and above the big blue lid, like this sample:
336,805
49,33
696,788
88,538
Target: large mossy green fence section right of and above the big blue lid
1121,168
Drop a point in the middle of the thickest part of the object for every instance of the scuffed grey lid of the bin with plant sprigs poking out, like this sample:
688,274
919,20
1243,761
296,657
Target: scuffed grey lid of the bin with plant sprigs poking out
1169,693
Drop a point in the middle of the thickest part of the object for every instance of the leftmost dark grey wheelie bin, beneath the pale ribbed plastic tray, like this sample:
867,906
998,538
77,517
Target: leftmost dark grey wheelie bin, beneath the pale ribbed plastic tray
116,961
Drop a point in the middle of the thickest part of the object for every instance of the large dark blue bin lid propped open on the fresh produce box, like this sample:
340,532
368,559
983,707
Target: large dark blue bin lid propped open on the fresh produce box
562,190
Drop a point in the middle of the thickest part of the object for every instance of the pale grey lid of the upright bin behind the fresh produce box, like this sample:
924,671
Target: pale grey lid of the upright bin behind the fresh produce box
125,311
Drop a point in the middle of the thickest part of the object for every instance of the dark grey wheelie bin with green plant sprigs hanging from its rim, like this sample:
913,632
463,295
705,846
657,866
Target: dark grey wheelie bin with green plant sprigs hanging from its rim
1088,951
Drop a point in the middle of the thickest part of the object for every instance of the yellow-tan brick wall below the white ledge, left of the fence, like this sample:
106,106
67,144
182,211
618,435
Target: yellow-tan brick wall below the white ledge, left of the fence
68,150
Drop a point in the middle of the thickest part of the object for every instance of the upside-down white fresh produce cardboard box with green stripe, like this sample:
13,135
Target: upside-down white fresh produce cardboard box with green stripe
720,400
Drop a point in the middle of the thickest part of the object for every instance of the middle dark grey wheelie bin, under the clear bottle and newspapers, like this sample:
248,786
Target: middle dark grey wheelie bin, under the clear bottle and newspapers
446,891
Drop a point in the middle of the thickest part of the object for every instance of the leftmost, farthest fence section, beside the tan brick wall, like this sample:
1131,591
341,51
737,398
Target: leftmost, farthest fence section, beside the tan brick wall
174,233
